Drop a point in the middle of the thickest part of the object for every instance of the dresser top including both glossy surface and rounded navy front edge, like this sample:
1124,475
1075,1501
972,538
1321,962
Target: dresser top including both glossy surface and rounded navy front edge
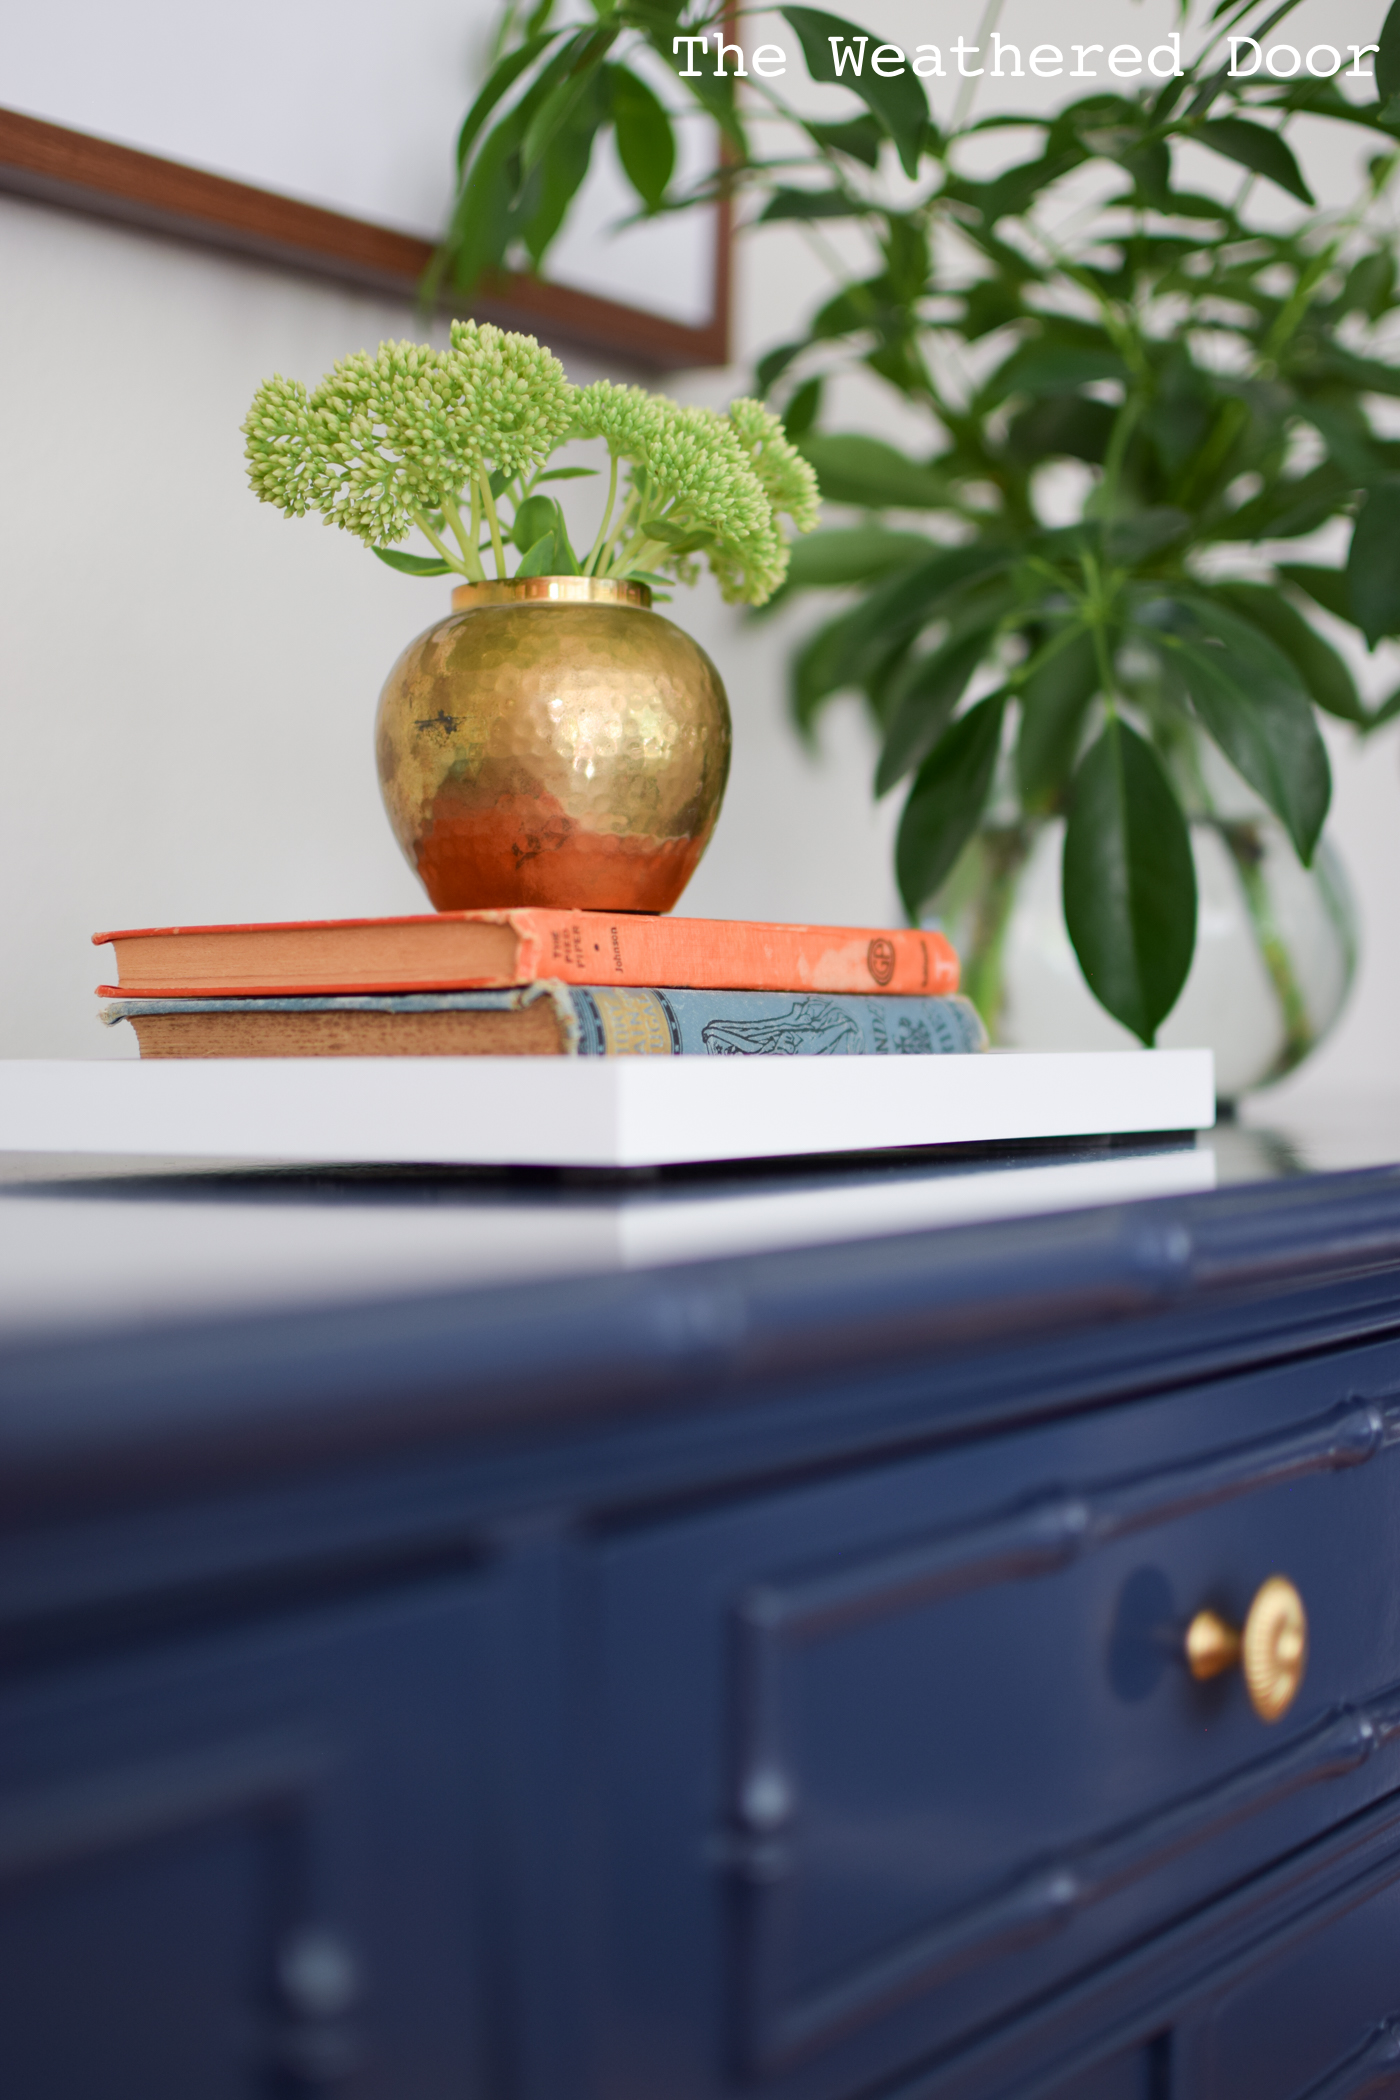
169,1326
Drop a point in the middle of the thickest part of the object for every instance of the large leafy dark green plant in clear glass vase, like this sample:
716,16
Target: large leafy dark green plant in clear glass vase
1111,705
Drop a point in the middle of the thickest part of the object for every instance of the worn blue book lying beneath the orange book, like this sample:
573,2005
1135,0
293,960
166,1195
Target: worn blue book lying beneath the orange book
585,1022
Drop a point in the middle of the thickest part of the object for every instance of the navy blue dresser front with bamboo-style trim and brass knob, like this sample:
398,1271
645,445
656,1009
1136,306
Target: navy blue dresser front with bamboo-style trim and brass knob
740,1681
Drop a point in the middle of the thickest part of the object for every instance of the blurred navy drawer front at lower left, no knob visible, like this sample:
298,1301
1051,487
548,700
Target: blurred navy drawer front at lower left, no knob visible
245,1862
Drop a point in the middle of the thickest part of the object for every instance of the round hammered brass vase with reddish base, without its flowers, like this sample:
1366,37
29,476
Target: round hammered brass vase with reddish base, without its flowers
553,742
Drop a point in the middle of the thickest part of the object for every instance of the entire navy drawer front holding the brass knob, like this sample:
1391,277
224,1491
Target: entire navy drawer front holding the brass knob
908,1750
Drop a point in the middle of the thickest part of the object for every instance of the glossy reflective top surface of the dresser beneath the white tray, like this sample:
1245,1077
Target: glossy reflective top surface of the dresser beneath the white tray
121,1244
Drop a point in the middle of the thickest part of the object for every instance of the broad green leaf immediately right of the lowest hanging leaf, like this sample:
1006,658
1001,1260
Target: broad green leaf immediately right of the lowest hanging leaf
1254,707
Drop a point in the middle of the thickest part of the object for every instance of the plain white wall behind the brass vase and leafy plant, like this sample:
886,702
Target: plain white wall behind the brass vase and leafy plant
188,681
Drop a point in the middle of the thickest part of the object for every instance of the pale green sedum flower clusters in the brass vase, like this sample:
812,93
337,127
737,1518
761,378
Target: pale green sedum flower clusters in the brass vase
436,440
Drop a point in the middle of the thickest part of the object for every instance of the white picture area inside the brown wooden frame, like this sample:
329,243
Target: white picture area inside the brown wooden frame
318,102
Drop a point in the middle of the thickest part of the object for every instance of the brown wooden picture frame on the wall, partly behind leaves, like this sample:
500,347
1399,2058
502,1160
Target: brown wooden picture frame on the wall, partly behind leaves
142,190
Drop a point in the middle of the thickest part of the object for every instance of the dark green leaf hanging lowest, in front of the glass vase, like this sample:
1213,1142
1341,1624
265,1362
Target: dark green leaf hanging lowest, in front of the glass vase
1130,883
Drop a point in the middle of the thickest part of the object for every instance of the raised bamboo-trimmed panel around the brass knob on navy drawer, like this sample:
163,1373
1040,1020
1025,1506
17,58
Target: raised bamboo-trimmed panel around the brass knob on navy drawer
948,1752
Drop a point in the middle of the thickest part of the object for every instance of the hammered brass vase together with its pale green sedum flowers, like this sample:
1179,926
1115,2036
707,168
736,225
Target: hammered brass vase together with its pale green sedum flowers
553,740
